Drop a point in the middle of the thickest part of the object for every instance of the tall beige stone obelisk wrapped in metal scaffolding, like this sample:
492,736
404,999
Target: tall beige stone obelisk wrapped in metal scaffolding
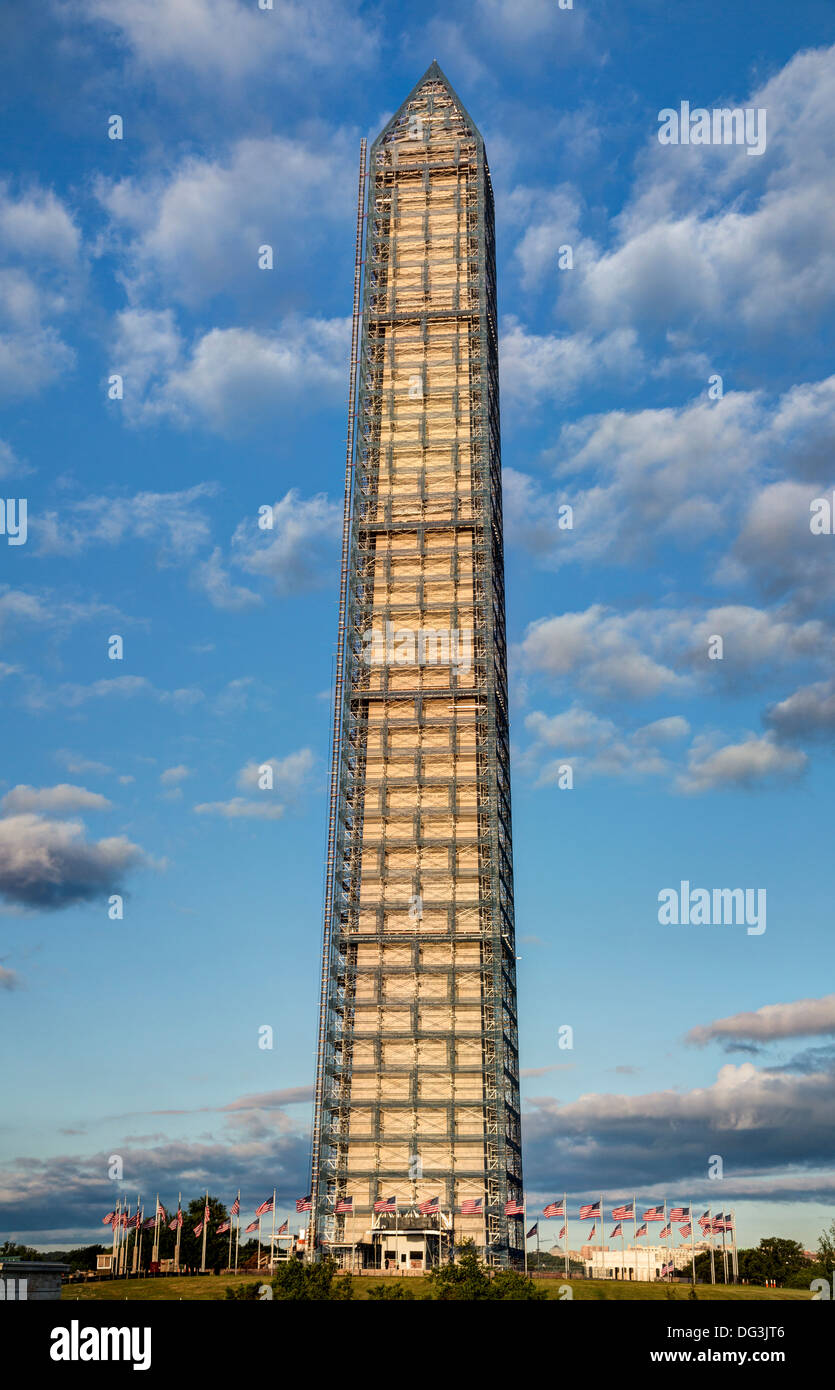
417,1071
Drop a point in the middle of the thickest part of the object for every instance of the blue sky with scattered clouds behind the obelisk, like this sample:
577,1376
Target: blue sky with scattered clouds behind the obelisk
691,519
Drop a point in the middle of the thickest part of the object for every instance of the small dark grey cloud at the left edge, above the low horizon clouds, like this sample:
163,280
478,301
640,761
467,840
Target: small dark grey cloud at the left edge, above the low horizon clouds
49,865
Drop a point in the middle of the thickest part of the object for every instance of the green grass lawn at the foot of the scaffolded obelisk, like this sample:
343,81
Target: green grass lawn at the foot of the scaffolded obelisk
213,1286
